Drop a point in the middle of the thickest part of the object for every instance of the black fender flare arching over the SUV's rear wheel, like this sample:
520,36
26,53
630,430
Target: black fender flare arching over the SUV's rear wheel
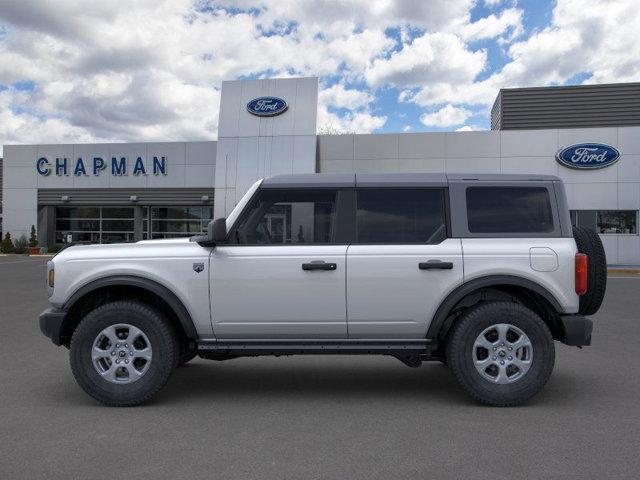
467,288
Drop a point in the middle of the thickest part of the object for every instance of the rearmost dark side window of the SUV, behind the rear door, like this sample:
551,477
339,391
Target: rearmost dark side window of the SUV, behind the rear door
509,210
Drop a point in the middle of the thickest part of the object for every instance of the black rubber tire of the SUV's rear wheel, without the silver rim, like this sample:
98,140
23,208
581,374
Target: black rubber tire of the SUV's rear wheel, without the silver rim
460,346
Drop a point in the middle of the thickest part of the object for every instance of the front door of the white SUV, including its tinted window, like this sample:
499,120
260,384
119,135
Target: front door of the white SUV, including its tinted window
281,274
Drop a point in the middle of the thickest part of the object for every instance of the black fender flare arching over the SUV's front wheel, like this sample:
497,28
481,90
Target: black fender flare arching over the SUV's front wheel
183,315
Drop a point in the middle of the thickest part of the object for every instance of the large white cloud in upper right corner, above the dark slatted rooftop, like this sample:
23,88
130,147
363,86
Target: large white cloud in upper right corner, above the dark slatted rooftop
583,37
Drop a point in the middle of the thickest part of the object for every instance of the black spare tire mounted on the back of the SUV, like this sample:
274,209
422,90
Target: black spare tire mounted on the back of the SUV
589,243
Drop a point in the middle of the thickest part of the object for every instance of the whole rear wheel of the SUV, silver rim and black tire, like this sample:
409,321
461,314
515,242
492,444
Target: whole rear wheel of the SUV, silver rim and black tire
501,353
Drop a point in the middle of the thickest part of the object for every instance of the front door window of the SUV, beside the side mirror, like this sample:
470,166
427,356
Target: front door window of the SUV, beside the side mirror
278,217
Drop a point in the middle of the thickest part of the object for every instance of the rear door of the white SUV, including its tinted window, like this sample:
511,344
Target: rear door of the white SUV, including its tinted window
402,263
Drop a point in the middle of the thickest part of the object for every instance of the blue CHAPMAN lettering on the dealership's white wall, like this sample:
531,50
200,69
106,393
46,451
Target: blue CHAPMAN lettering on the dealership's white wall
119,166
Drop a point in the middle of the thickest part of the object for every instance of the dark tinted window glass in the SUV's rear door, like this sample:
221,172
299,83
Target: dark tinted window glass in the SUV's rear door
388,215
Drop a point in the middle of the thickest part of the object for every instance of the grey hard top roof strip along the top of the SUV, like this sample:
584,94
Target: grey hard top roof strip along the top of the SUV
344,180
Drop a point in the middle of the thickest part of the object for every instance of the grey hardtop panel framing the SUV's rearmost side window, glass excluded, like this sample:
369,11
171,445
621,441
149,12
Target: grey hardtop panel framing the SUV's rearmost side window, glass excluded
460,226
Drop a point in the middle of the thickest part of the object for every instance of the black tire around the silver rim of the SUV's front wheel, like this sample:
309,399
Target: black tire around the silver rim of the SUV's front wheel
163,342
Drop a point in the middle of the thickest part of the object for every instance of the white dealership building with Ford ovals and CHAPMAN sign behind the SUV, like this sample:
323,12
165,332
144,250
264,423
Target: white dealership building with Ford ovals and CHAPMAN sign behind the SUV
587,135
